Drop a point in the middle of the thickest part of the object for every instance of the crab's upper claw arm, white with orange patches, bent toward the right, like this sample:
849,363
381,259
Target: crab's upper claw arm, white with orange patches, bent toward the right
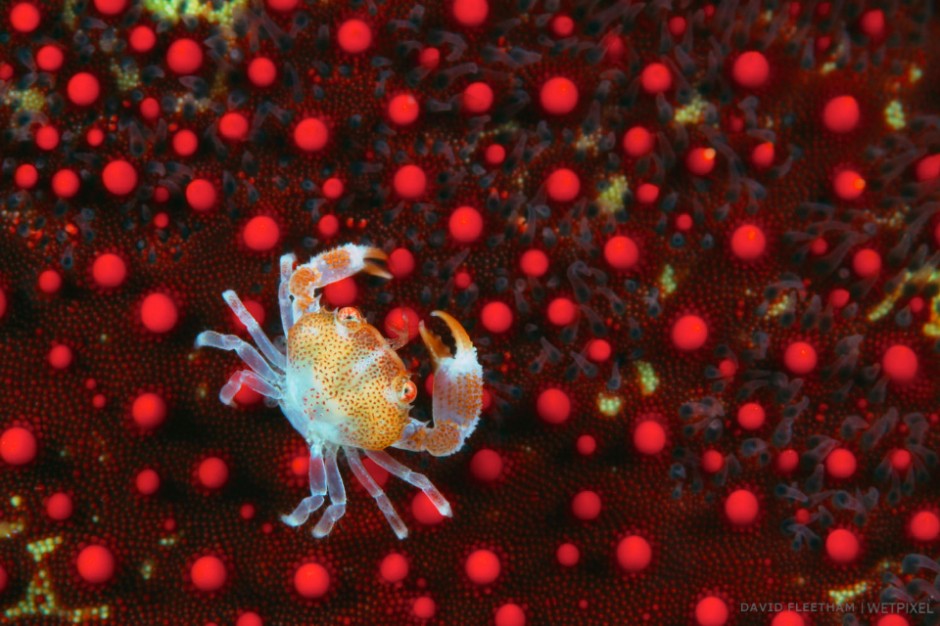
332,266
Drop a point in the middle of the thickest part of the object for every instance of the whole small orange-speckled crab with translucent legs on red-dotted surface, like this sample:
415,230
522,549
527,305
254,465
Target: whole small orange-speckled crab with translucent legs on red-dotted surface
343,387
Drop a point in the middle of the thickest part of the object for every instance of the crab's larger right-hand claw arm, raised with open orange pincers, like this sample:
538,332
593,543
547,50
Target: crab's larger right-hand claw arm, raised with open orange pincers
458,394
